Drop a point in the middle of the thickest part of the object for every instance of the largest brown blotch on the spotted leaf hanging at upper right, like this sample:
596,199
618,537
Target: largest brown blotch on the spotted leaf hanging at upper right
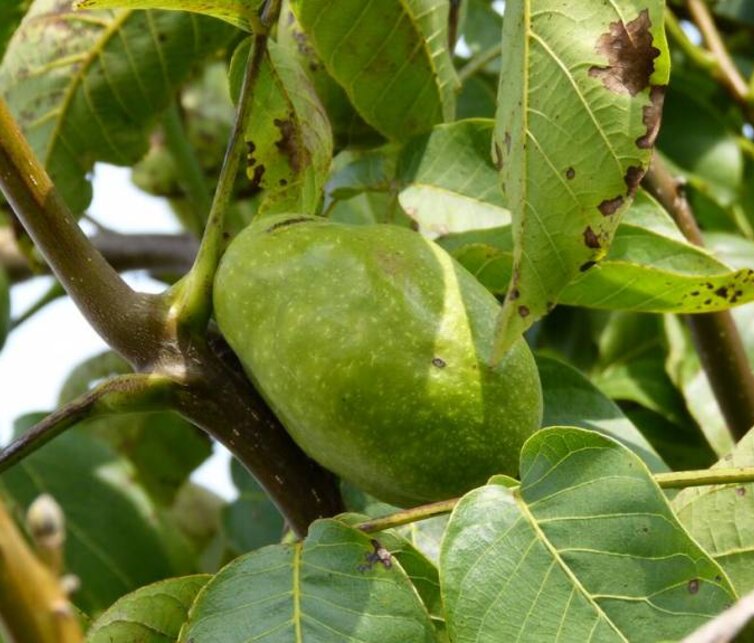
630,55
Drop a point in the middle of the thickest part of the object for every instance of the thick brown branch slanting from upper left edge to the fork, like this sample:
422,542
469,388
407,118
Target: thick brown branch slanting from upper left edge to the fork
116,312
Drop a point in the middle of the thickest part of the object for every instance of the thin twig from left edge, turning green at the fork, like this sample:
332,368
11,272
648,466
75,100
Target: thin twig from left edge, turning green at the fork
118,395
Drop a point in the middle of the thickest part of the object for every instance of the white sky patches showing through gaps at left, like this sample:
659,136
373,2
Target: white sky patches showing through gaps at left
40,354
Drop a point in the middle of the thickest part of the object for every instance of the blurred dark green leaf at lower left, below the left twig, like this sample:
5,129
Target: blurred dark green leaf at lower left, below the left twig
116,541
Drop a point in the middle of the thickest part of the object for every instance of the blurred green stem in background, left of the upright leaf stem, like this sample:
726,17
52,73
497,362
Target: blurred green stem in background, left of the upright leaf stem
190,172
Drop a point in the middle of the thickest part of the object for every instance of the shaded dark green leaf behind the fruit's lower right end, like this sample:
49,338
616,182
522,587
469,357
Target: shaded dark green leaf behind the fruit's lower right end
570,399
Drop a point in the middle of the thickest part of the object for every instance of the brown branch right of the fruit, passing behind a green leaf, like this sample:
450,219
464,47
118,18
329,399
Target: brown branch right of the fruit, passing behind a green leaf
717,340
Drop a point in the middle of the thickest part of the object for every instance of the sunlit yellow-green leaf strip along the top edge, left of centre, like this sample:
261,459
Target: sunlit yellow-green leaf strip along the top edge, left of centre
236,12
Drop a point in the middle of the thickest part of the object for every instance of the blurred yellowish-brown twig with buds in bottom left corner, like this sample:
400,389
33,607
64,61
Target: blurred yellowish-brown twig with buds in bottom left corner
33,604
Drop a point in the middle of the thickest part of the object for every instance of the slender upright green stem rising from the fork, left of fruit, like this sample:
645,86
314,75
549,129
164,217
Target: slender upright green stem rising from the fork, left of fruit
194,305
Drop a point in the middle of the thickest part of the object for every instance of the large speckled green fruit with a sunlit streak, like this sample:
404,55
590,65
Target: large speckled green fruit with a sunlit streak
371,345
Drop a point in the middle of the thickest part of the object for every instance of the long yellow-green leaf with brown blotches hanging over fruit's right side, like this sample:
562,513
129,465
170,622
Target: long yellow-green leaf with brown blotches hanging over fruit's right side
579,107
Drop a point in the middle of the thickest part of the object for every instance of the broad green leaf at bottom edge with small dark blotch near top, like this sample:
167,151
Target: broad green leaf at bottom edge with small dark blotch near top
331,587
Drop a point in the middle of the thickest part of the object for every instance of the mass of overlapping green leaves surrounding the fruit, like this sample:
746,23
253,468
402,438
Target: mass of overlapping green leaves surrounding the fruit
524,161
